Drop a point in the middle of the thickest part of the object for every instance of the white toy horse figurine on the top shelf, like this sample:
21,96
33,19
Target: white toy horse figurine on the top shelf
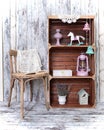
75,38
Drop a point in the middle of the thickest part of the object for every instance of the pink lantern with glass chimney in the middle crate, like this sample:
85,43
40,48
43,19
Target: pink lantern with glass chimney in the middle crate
82,65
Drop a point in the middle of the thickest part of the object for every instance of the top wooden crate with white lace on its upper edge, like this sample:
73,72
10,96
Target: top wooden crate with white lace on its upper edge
76,28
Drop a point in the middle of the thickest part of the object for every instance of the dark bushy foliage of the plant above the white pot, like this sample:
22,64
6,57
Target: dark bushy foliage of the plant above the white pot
62,89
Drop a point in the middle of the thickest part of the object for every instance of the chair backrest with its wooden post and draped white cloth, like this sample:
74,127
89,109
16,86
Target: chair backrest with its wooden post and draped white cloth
25,61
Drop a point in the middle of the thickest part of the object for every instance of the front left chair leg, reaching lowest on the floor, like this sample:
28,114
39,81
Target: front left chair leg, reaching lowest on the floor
22,98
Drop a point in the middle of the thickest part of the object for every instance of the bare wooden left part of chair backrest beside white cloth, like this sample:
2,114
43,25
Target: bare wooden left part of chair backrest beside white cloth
13,56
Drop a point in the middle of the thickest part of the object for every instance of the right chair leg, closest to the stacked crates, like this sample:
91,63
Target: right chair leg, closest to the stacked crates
45,80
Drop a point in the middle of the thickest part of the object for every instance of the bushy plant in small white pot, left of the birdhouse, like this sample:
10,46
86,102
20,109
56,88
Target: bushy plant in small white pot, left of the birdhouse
63,90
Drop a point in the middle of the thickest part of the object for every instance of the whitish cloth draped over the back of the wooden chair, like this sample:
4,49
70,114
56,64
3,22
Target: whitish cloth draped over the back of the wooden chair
28,61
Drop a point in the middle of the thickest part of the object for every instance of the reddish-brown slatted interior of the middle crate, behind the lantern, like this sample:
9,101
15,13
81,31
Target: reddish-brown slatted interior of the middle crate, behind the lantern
66,57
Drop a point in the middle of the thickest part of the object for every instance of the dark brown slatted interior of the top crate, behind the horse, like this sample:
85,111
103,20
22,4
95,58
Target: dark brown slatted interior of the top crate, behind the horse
76,28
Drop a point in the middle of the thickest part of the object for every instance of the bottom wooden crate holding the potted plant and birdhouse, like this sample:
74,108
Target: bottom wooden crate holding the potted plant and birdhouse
72,97
